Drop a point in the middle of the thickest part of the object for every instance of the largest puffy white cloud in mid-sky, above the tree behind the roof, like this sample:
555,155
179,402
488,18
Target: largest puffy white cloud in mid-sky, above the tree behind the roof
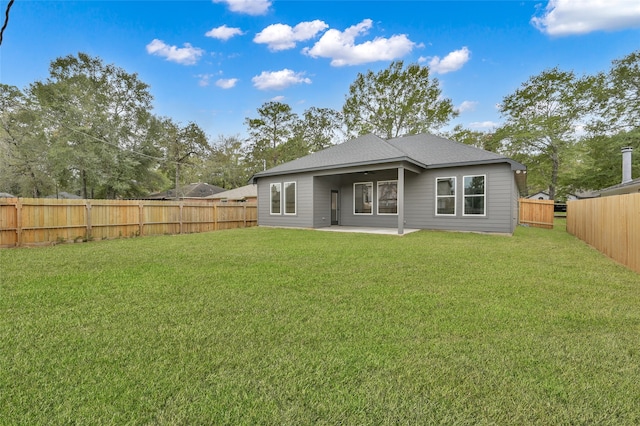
342,49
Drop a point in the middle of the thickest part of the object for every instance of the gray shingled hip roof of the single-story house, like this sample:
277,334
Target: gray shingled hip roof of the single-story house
424,150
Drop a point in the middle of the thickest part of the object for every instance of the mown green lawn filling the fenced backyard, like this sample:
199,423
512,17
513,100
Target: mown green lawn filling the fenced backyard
273,326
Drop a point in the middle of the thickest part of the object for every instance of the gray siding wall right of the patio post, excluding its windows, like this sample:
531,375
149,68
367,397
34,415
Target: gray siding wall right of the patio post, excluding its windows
420,200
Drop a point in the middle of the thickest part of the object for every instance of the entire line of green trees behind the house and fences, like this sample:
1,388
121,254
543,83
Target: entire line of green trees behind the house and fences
88,129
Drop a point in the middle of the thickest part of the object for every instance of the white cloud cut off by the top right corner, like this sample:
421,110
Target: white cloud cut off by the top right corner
566,17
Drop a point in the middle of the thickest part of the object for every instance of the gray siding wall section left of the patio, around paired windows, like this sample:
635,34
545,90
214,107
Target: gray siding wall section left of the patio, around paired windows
304,202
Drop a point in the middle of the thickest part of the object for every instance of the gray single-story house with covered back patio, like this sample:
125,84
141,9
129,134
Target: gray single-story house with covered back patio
418,182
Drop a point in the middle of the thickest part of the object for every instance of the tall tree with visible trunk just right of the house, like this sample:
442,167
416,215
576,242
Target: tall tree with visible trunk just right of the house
542,118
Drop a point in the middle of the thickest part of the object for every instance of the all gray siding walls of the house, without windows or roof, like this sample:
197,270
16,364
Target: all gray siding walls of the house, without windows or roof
313,202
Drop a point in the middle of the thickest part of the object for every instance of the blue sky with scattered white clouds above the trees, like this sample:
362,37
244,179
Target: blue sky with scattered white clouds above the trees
215,62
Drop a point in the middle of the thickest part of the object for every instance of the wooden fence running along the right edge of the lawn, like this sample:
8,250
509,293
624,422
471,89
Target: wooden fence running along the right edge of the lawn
609,224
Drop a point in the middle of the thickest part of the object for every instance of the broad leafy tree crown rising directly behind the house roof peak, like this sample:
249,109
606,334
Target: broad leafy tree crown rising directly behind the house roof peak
396,101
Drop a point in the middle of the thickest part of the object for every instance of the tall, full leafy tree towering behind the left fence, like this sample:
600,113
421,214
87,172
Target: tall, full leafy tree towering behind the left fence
98,117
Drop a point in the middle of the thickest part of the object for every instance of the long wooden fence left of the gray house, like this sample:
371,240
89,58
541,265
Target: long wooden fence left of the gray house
36,221
